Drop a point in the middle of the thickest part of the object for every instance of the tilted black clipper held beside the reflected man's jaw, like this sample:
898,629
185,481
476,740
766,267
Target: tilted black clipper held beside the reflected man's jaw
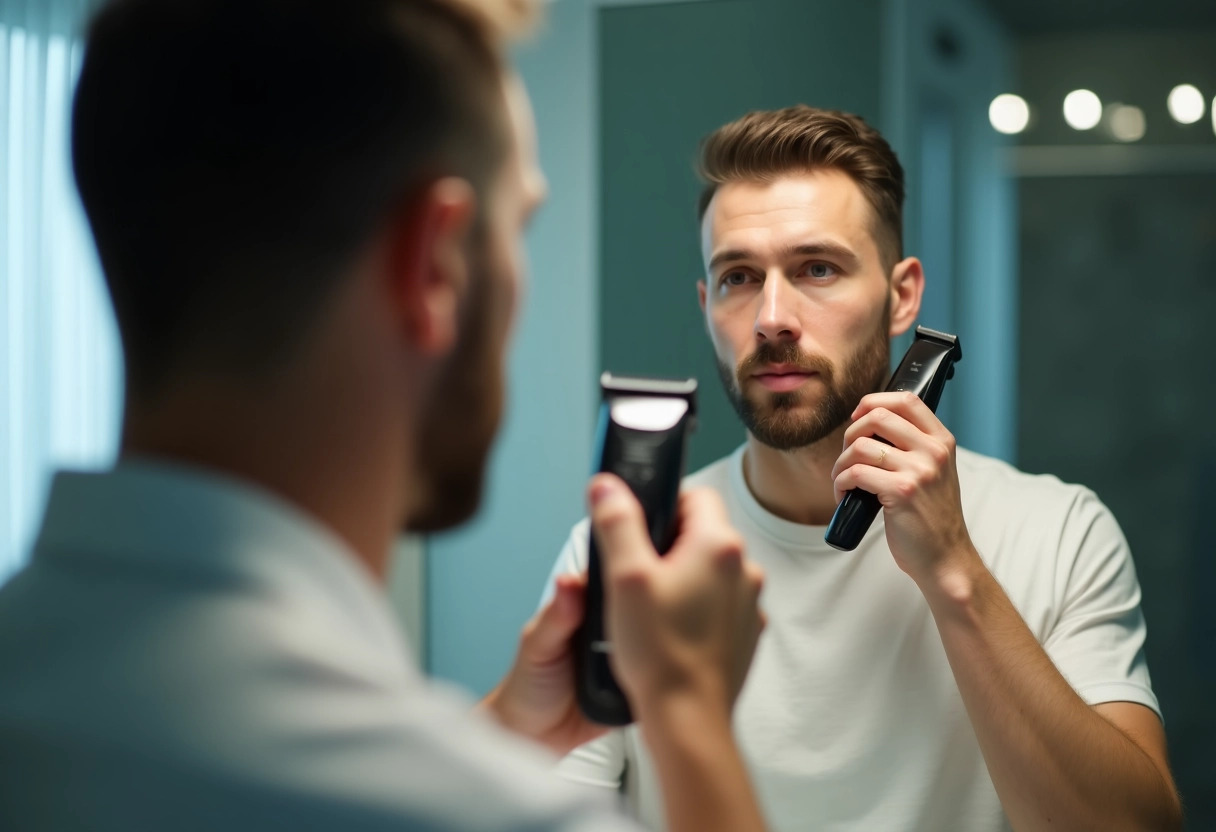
925,370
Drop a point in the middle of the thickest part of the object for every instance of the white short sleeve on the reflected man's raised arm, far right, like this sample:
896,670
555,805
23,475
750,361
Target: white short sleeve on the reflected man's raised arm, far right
1099,640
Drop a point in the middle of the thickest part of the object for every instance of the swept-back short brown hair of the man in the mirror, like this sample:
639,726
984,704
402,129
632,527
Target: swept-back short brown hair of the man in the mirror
768,144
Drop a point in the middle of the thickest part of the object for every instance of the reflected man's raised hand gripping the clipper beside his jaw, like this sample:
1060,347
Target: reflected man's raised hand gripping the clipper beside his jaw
915,479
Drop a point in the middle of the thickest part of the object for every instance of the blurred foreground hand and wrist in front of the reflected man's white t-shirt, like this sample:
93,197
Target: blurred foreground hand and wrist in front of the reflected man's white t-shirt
684,629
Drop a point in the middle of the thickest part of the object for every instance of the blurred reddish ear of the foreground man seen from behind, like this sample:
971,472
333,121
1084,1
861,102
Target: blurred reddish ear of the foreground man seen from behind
430,267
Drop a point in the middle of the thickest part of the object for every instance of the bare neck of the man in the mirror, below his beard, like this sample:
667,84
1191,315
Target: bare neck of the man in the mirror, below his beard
795,486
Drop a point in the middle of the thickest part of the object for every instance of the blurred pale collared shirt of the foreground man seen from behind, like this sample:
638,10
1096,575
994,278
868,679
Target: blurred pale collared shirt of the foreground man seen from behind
187,653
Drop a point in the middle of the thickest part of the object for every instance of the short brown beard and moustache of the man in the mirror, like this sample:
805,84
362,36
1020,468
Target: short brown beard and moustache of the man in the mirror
780,420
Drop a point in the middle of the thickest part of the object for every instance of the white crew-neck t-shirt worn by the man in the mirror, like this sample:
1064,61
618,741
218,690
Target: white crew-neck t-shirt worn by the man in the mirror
851,718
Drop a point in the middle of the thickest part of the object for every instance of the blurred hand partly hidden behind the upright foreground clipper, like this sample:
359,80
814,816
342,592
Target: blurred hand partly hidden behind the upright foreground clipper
537,698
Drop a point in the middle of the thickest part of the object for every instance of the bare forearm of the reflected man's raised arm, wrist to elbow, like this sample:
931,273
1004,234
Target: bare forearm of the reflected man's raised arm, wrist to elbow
1055,762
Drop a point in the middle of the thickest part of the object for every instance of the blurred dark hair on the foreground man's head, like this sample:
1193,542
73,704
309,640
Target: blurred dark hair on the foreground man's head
234,155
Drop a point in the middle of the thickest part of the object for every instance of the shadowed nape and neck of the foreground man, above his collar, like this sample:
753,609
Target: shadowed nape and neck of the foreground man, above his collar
333,445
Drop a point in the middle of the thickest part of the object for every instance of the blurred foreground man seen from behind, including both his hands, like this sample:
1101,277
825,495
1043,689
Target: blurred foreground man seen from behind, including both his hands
309,215
